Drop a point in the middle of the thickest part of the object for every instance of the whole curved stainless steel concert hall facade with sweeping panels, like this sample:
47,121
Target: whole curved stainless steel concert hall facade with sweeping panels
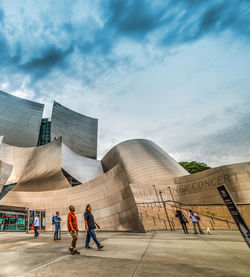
37,177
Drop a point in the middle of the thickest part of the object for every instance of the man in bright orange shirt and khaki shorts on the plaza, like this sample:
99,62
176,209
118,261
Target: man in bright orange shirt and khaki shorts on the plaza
73,229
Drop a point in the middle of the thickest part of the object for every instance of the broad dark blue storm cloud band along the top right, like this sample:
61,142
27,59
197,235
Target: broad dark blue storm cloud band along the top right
178,21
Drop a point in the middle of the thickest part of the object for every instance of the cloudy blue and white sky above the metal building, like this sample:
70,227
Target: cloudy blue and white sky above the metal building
175,72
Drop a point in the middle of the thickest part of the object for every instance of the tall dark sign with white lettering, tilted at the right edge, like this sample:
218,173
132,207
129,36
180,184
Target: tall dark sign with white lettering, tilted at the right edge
232,207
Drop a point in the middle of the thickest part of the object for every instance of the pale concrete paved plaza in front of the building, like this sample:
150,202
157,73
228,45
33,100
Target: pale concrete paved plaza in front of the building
157,253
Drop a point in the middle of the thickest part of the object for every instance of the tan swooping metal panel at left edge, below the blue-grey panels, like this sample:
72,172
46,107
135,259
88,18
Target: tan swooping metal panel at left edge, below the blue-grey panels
35,168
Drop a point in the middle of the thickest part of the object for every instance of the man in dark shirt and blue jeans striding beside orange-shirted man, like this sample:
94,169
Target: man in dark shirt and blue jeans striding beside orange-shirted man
90,226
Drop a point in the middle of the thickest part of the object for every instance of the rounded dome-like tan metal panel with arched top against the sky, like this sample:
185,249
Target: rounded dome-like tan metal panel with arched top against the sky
143,161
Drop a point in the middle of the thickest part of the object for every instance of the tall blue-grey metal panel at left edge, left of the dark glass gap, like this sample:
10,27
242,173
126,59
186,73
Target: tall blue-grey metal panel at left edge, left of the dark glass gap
20,120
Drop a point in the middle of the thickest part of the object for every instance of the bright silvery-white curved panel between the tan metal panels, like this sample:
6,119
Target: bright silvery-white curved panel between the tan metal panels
81,168
